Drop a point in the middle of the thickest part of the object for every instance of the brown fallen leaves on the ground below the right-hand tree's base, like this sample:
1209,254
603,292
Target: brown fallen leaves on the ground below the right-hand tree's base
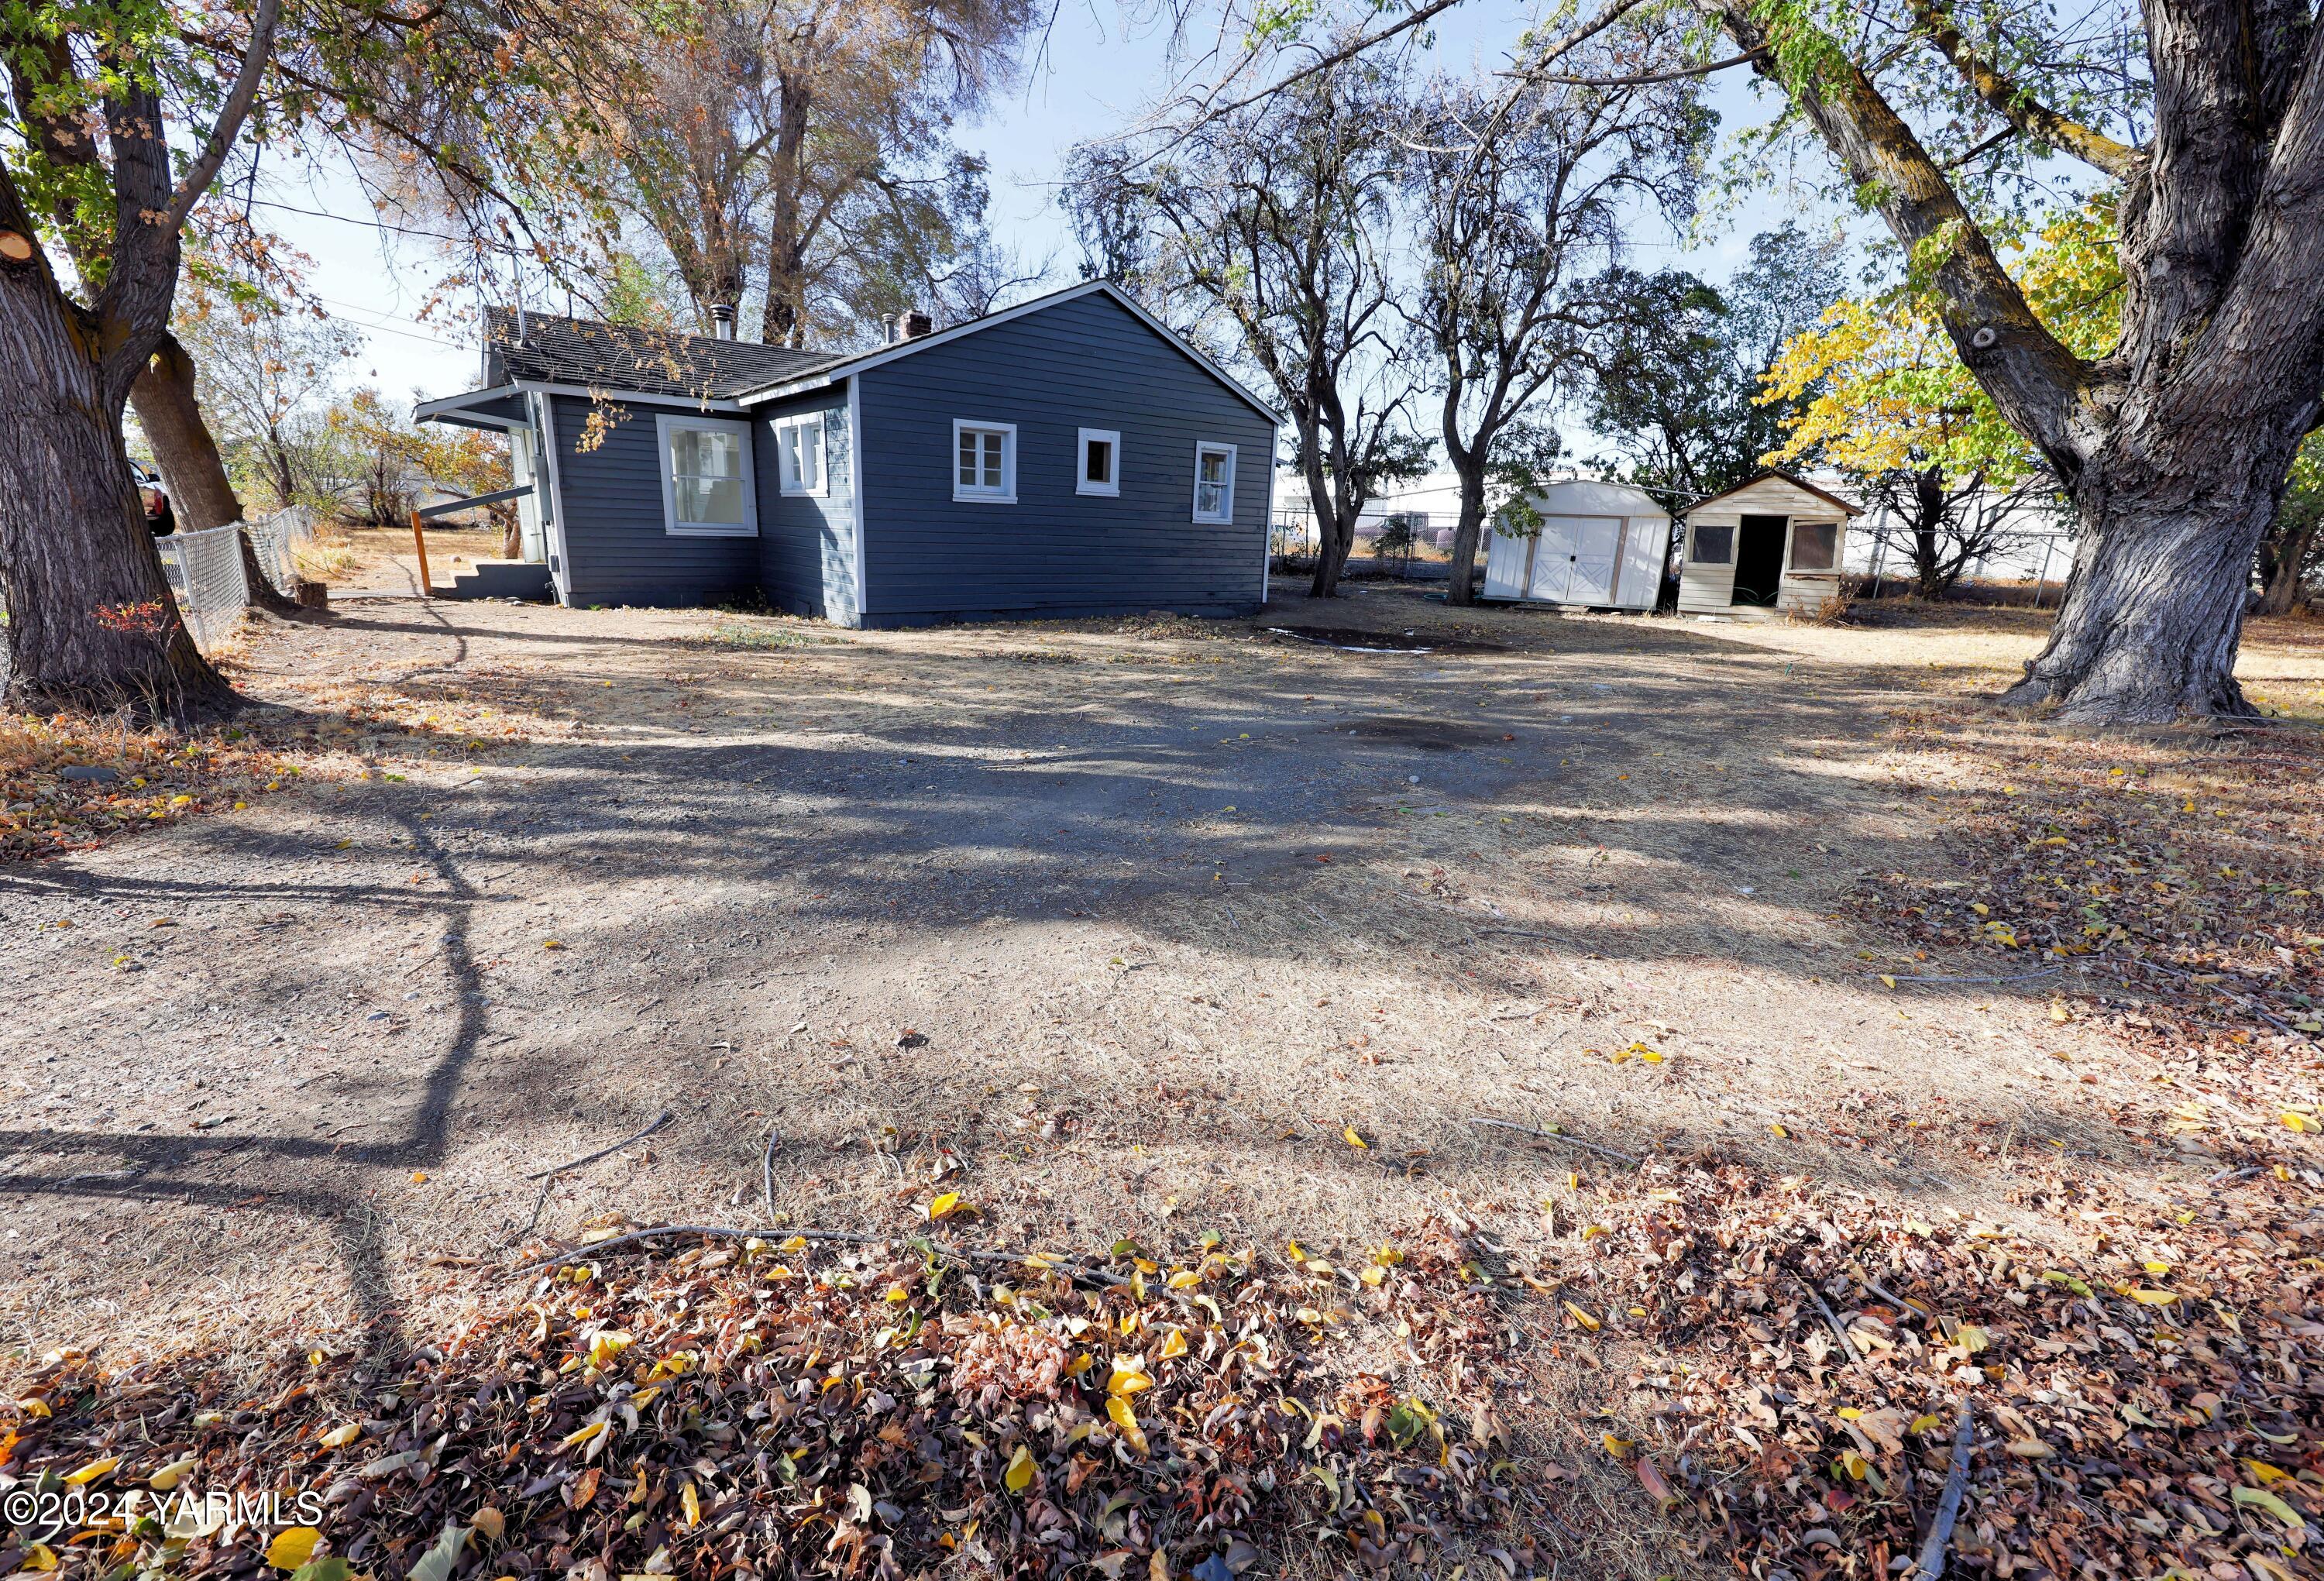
2176,887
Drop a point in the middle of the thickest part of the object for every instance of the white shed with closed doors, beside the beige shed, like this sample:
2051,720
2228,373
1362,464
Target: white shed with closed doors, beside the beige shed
1600,545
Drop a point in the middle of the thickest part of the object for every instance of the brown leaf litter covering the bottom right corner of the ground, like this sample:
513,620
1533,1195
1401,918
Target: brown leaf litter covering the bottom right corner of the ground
2149,1398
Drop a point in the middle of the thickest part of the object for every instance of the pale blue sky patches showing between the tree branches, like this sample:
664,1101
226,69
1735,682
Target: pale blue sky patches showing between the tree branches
1100,71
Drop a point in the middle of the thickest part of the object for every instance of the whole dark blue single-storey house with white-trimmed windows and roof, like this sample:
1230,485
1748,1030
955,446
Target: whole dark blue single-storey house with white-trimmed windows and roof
1063,457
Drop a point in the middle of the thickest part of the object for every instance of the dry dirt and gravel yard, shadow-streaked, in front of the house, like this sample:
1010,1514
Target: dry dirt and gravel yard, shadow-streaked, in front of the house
1117,929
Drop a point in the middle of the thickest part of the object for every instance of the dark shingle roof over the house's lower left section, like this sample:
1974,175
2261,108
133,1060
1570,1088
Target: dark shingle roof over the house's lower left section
626,359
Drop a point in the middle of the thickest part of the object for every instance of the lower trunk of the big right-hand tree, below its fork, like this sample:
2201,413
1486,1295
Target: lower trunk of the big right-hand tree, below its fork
2156,603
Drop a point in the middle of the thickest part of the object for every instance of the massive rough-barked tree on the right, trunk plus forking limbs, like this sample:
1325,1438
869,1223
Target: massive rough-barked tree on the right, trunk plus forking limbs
2179,445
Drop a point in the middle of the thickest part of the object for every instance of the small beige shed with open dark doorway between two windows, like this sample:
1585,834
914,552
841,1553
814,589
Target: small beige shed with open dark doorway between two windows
1770,545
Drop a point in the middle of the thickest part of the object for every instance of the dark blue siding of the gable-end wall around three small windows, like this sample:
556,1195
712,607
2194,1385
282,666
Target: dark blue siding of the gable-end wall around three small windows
1084,364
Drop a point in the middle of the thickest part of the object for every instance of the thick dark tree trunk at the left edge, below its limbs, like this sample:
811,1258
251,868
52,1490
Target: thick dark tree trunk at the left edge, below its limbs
92,622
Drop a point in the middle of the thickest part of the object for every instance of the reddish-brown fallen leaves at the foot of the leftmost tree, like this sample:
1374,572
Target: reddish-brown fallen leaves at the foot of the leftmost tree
157,775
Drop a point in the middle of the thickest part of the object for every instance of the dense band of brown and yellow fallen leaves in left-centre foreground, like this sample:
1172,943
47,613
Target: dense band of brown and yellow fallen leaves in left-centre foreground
775,1410
